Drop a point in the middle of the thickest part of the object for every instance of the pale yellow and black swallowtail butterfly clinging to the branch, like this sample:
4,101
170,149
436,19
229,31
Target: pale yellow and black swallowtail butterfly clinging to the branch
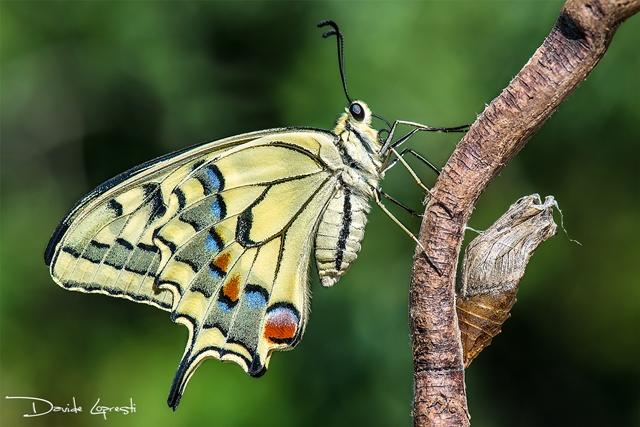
221,234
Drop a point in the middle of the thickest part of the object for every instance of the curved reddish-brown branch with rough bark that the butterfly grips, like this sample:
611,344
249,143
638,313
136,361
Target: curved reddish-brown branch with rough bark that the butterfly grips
574,46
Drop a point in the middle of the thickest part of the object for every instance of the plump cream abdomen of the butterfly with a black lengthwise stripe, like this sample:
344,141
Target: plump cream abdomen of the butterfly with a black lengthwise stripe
339,234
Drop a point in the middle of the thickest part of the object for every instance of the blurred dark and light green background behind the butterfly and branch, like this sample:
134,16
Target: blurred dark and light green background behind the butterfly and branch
89,89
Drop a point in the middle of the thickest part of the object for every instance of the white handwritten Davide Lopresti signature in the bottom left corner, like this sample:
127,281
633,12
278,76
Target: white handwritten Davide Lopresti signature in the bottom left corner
38,407
